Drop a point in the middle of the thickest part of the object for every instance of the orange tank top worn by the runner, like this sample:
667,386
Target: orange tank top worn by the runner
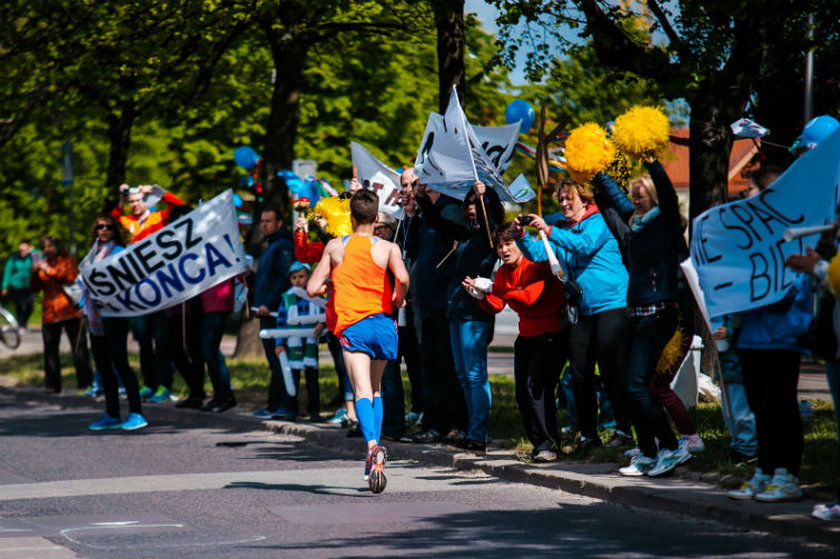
360,287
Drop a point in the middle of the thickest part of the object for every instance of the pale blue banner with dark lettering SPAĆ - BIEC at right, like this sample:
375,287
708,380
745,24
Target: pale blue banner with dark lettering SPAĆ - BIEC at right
738,249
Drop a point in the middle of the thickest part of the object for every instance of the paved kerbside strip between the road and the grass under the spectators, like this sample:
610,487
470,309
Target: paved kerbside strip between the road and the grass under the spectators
689,494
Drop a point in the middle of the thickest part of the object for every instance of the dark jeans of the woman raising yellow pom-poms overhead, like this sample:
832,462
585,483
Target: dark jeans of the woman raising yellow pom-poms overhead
648,337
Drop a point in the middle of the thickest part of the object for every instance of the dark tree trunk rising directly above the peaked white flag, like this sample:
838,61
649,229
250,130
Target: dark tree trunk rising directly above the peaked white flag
451,44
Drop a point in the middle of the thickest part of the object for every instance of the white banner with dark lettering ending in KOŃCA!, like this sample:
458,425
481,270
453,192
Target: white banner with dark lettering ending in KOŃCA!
178,262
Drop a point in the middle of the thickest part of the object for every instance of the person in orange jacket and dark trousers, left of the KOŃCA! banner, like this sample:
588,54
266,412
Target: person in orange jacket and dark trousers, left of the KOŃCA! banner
55,269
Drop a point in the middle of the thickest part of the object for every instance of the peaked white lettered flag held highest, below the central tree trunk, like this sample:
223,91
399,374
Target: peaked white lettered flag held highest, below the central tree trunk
454,154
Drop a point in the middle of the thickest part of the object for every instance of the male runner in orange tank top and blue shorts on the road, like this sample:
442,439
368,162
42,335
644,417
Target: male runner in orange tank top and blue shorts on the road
364,298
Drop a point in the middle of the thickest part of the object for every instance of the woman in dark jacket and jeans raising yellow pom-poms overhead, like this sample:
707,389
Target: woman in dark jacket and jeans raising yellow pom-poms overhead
654,243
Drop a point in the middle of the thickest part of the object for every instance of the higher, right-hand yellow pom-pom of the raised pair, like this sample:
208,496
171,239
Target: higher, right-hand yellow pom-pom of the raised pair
642,132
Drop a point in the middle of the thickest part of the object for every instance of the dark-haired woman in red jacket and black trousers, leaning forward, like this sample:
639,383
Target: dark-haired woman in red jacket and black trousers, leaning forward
539,298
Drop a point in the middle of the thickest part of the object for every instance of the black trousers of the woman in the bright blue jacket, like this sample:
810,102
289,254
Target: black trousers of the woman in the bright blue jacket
600,338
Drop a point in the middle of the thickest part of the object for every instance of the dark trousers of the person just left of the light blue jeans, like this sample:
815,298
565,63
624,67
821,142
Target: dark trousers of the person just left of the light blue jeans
443,398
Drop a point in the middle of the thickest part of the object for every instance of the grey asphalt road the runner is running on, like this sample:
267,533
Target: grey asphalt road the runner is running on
176,490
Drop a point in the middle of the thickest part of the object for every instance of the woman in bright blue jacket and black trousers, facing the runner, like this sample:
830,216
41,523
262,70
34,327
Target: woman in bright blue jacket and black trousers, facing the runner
589,255
